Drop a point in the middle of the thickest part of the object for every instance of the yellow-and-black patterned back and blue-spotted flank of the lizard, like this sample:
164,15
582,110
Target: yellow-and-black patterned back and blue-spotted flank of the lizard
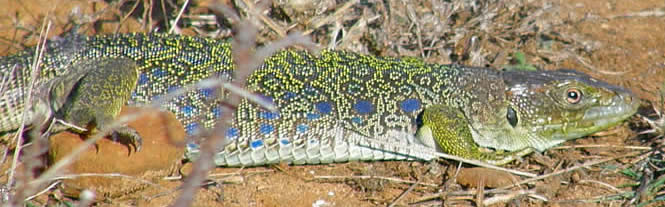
359,94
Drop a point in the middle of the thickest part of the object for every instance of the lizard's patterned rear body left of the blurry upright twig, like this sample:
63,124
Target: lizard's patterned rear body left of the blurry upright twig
166,63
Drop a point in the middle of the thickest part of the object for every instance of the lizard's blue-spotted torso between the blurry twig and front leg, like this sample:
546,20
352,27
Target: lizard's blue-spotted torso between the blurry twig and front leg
325,101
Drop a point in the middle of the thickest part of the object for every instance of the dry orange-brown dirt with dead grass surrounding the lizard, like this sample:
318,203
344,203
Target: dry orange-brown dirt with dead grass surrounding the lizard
620,41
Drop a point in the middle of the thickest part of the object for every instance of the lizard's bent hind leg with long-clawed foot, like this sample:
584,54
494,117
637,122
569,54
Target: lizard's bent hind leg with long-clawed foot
97,98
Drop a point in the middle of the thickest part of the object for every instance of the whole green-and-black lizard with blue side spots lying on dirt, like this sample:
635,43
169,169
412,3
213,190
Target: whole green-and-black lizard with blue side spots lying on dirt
340,106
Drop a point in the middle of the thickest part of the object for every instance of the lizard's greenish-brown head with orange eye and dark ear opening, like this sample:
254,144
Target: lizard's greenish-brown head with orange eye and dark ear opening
545,108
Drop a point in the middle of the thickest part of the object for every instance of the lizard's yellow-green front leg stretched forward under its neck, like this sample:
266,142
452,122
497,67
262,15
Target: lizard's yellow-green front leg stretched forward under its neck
449,129
